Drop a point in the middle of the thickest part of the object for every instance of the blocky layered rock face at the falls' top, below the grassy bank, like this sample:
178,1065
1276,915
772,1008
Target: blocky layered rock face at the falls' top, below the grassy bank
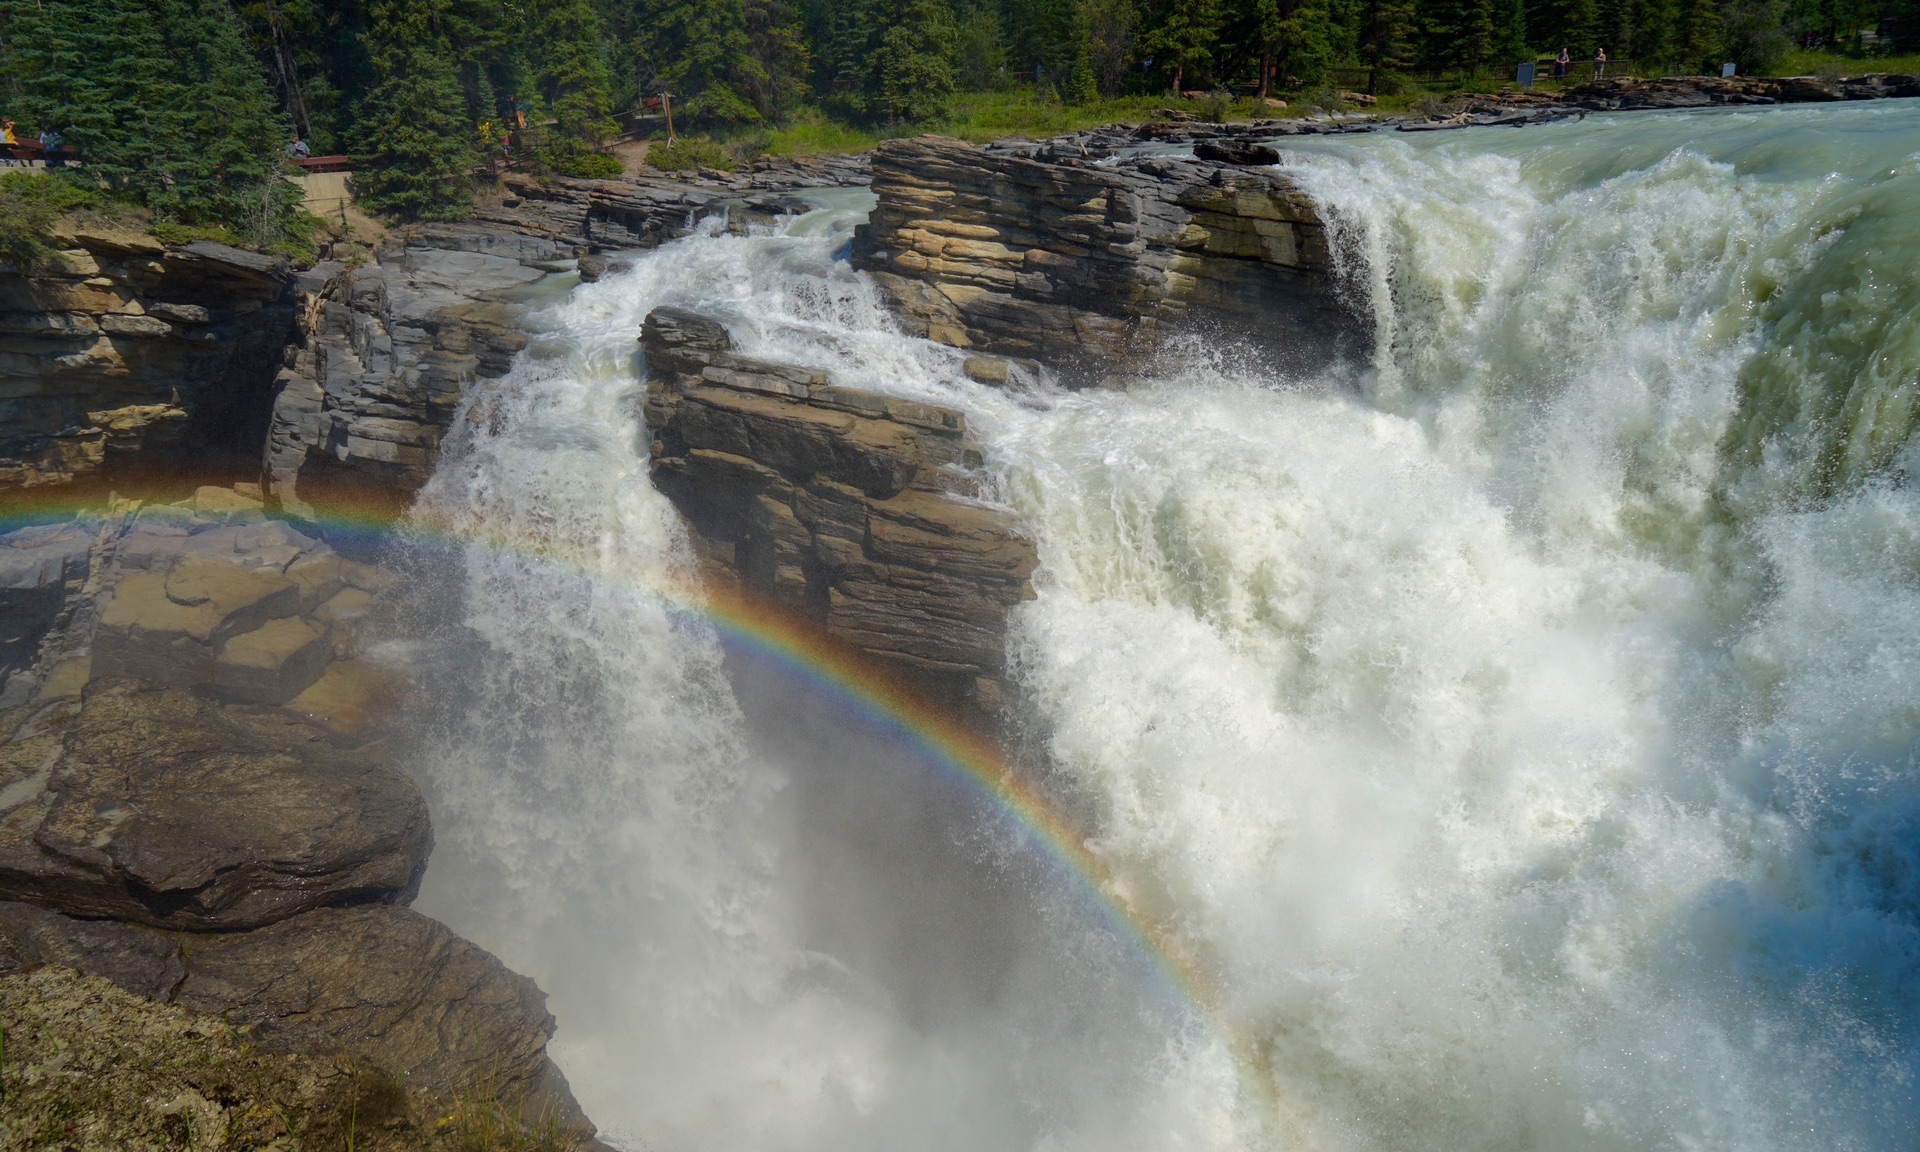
1086,264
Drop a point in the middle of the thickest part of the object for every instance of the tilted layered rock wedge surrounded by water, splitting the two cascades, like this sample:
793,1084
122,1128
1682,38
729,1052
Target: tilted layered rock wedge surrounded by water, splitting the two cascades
850,508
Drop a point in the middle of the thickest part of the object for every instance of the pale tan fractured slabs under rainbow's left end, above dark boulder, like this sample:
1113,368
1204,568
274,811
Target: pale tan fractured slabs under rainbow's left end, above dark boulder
204,594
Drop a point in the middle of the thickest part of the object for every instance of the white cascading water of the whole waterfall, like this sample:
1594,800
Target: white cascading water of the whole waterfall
1524,738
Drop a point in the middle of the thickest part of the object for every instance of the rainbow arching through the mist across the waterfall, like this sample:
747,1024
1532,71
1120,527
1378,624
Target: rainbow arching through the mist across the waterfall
871,692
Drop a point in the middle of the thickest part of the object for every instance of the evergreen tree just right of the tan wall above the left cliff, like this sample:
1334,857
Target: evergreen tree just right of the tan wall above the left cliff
416,158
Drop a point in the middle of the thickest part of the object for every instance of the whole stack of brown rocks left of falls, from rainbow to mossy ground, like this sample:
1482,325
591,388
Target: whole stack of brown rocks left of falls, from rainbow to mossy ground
195,804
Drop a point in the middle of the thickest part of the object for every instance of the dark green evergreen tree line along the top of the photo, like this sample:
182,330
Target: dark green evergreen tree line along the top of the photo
189,105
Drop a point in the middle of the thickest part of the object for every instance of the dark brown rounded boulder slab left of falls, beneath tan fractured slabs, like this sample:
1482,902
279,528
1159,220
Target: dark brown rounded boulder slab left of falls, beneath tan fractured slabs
158,807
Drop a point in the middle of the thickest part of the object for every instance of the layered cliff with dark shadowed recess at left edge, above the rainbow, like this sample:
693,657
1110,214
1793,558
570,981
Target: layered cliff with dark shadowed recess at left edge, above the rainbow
132,358
